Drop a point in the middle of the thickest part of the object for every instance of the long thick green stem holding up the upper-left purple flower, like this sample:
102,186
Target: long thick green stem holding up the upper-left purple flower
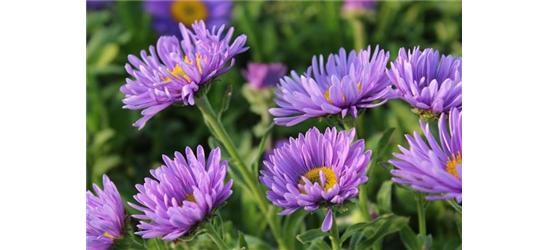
210,117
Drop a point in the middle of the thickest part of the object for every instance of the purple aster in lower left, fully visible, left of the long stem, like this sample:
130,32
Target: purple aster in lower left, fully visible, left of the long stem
185,192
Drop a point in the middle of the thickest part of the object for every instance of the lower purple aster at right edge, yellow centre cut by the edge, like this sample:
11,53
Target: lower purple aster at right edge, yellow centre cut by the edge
432,168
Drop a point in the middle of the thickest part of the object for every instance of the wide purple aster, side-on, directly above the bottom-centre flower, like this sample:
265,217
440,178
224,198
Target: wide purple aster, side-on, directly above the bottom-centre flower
344,84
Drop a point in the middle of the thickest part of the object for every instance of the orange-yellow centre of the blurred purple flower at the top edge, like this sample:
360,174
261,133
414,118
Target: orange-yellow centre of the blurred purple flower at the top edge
187,12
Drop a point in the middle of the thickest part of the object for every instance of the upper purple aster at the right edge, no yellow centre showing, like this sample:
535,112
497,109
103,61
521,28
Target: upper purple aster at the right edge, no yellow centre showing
426,80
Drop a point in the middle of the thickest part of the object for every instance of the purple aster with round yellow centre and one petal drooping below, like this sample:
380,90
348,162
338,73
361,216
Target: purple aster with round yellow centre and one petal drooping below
316,170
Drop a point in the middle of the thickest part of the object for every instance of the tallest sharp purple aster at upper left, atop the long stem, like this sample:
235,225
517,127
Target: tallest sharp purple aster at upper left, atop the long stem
175,70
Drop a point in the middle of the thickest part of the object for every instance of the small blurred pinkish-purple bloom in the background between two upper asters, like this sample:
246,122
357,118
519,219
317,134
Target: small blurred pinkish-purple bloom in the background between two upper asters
261,75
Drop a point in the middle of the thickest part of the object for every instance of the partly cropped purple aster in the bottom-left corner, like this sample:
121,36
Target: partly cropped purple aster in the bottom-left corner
104,216
